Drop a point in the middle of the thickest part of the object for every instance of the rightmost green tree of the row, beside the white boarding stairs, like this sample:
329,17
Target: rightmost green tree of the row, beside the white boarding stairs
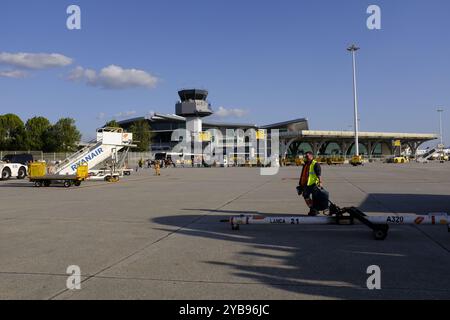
63,136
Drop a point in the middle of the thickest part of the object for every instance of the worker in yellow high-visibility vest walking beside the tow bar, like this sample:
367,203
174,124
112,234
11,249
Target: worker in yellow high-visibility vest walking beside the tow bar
310,180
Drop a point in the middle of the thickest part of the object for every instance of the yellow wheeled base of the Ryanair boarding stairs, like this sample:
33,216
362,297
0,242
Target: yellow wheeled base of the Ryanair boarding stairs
38,174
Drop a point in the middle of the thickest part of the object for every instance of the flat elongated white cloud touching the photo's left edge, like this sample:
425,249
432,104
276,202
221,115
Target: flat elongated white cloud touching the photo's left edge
34,60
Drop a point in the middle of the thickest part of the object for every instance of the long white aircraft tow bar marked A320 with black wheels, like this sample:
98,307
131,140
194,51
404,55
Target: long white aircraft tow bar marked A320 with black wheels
346,216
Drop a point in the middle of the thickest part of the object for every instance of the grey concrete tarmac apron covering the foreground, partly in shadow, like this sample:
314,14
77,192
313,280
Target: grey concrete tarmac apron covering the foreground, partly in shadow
150,237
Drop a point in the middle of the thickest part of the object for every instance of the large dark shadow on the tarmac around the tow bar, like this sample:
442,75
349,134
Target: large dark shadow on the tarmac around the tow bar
328,261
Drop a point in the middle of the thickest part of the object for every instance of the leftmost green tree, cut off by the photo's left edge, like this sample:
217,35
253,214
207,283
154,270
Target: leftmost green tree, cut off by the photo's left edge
12,133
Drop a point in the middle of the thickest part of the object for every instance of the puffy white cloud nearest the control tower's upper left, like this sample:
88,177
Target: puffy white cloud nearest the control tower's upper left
114,77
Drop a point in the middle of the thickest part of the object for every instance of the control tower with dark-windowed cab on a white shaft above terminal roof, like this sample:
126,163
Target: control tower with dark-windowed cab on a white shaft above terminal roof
193,106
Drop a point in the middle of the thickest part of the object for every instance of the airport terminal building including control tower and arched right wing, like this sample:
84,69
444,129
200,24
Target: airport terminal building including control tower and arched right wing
296,138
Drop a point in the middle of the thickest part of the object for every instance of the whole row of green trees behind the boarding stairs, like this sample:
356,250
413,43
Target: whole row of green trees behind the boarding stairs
38,134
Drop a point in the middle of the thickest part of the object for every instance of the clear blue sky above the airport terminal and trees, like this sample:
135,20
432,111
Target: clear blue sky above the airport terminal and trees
272,60
